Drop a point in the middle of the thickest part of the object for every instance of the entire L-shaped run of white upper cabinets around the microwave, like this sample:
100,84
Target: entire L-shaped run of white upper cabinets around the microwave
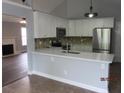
45,25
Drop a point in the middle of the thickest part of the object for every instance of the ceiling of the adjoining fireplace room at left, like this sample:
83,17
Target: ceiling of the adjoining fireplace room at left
7,18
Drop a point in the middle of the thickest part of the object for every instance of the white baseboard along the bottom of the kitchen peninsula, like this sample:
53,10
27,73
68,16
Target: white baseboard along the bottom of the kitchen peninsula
81,85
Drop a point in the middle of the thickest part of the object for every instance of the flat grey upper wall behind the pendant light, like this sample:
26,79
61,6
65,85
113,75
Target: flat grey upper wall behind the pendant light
105,8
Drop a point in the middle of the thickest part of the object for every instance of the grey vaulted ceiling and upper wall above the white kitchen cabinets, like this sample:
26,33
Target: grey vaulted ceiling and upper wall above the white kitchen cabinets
77,8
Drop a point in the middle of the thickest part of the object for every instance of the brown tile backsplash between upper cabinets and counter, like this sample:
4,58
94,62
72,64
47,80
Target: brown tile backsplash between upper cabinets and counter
77,43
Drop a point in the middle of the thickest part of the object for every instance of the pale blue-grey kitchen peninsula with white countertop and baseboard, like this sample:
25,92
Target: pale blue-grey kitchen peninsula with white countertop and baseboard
85,70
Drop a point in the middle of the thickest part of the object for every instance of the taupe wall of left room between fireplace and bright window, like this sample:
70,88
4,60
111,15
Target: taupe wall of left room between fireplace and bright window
13,30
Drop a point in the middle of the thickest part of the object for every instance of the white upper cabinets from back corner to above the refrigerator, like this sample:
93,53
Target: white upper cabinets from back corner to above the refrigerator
84,27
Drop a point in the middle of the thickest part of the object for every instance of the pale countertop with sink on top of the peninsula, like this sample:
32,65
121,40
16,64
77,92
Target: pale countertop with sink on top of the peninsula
86,56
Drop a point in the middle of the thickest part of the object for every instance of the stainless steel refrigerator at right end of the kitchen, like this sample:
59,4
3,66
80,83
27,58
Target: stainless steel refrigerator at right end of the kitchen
102,40
